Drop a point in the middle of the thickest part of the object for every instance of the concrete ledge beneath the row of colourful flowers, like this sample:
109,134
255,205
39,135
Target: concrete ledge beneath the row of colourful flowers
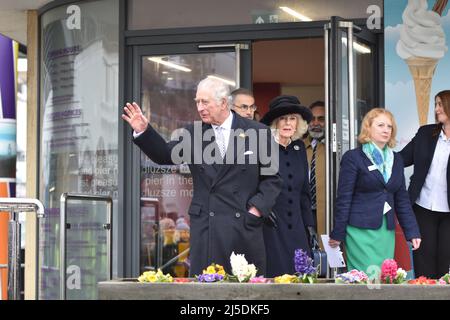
128,289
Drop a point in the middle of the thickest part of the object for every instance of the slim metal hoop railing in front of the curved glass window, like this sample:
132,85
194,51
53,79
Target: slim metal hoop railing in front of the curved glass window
108,226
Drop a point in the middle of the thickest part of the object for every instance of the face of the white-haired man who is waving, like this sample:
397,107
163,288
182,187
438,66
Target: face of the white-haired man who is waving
209,110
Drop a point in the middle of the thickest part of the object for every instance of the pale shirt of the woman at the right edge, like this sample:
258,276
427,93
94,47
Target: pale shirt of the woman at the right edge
433,195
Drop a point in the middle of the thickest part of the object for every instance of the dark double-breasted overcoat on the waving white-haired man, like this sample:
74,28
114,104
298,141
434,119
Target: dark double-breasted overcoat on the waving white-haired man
223,193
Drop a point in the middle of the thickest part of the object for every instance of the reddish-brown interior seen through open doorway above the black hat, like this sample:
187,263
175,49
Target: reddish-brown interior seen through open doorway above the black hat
293,66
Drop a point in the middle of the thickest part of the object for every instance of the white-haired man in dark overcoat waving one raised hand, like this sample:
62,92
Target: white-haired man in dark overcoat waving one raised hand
235,176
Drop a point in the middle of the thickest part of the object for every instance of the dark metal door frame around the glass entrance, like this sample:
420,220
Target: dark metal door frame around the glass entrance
182,40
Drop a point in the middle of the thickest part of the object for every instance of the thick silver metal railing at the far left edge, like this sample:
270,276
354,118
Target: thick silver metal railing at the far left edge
15,206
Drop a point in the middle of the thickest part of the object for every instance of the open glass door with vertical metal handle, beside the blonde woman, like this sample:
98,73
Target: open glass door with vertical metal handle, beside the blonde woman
350,92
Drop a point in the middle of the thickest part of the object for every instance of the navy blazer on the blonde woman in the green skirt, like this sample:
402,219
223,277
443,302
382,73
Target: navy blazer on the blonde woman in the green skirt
362,193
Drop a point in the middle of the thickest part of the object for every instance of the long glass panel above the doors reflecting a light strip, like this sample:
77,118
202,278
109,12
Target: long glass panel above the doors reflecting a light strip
144,14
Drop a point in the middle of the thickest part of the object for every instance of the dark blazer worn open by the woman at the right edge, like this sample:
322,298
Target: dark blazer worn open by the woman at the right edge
419,152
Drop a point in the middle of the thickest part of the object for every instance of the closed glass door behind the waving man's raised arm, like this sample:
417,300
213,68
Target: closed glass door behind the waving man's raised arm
166,79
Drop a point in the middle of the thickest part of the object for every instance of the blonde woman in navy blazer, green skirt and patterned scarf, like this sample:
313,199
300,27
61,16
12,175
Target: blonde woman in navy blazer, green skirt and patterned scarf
371,190
